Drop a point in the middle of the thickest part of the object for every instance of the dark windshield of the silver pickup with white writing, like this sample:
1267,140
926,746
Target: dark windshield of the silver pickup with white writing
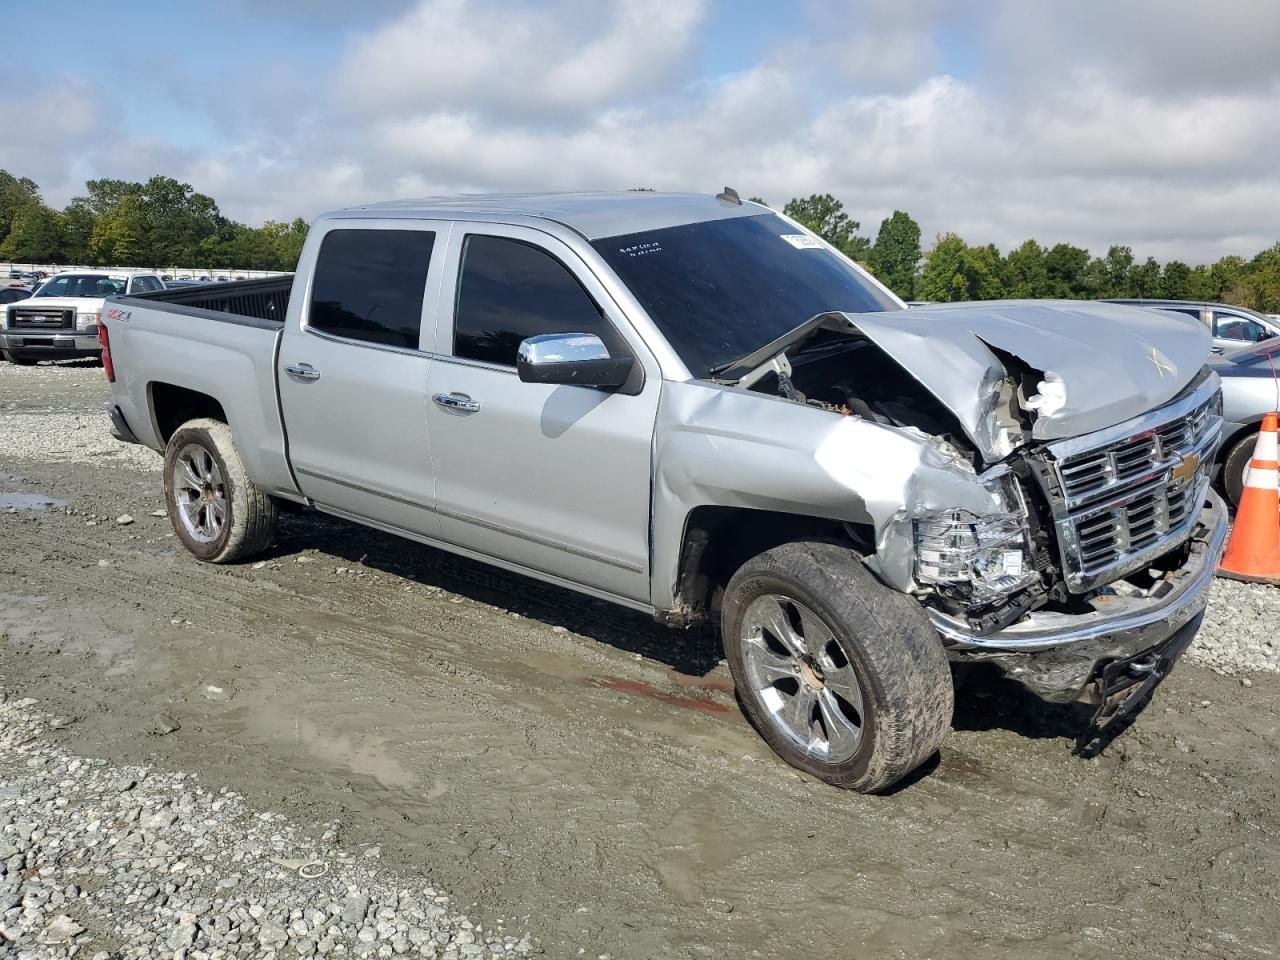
724,289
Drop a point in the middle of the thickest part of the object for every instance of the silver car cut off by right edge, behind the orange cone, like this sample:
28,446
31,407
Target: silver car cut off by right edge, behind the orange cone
1251,390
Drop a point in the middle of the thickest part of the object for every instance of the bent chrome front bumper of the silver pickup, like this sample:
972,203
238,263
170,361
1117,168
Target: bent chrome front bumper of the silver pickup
1057,656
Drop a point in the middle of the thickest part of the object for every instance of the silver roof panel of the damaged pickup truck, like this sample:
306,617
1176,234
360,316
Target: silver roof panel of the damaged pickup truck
595,216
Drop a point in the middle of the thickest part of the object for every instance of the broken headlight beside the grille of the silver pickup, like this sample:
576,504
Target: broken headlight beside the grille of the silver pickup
977,559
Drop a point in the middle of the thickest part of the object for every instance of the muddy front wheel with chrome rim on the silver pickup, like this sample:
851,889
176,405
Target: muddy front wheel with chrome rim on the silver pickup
844,678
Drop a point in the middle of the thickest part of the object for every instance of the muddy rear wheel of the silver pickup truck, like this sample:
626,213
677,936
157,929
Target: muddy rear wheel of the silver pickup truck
217,511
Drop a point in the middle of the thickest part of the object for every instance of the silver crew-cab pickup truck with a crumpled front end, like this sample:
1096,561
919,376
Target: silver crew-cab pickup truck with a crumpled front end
694,408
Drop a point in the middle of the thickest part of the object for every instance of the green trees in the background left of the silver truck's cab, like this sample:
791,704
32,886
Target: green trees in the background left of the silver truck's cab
122,223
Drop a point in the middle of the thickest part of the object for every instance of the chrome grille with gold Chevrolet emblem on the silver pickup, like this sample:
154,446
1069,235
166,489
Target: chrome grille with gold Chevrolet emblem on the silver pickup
1127,495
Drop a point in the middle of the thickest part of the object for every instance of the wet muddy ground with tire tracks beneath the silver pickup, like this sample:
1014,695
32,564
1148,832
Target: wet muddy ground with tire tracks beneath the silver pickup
556,760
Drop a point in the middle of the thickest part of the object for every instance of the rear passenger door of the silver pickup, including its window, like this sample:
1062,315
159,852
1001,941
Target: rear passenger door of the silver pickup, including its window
353,372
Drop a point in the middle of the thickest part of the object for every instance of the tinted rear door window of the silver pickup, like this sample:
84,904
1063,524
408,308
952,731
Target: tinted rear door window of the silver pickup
369,285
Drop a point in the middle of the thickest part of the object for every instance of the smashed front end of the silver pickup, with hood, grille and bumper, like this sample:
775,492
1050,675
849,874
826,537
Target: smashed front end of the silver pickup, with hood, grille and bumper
1080,556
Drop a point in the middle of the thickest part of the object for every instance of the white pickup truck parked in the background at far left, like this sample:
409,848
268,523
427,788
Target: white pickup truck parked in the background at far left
61,319
